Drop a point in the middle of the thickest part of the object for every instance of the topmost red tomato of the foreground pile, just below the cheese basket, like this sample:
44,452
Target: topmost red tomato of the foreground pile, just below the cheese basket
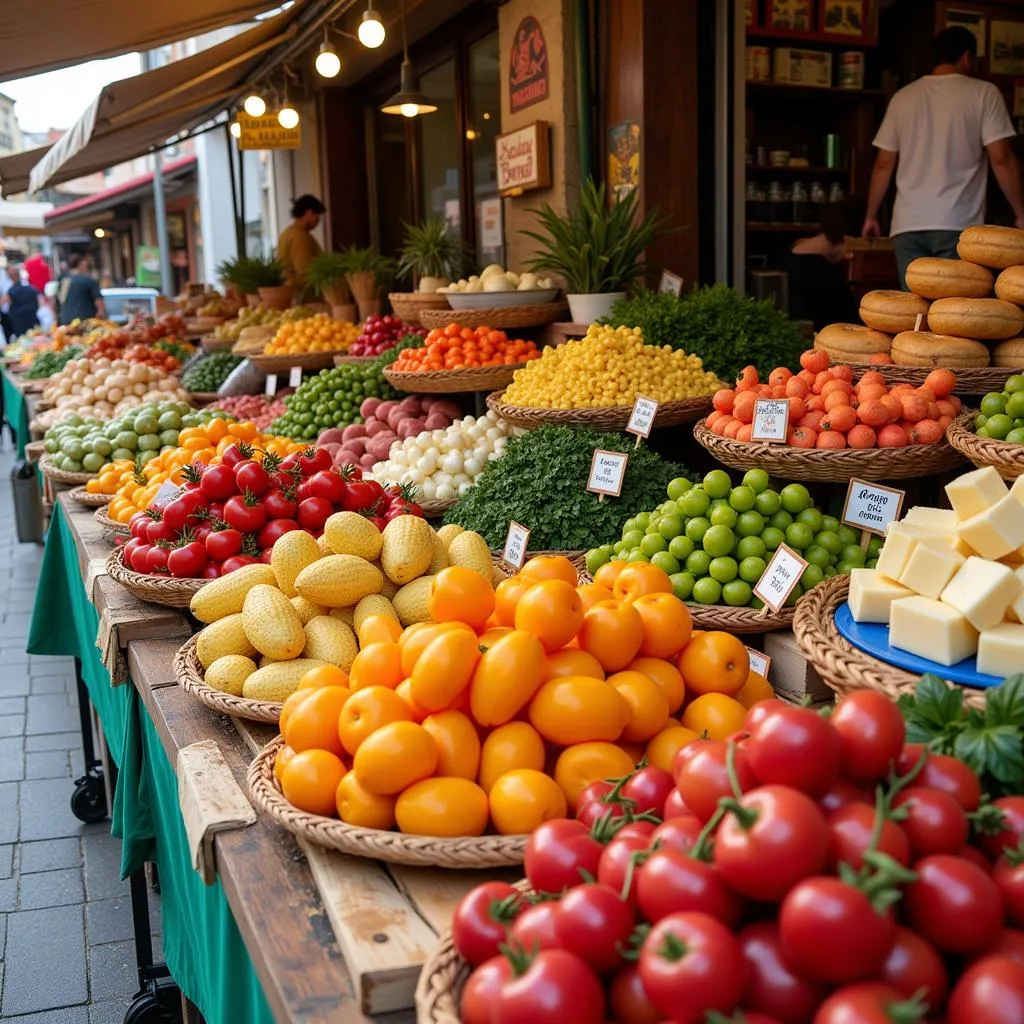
872,732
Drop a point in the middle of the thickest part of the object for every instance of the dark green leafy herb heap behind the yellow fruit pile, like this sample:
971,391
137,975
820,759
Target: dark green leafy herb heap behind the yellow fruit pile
728,330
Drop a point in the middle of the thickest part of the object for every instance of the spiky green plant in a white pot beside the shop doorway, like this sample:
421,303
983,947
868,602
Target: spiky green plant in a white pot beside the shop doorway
596,249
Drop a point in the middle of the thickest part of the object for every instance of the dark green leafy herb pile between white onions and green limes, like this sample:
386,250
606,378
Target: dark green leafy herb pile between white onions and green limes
541,483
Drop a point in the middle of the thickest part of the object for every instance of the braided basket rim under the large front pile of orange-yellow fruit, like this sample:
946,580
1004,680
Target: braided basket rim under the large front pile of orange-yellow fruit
397,848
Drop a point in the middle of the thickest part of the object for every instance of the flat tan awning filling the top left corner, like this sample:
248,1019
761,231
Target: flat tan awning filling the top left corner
46,35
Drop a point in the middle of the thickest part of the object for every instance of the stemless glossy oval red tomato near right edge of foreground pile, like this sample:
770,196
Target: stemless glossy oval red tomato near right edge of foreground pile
954,905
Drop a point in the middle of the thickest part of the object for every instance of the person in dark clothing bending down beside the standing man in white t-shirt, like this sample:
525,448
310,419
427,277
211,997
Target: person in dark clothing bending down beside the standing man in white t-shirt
817,269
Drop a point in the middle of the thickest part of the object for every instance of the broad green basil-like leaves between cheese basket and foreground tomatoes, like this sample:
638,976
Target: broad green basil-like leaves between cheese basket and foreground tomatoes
992,742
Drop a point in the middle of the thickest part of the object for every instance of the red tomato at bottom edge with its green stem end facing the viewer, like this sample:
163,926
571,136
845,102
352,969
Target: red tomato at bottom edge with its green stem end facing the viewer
691,964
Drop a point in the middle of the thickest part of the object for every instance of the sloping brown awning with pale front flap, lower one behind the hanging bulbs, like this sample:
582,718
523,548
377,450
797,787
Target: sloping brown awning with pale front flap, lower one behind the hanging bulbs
132,117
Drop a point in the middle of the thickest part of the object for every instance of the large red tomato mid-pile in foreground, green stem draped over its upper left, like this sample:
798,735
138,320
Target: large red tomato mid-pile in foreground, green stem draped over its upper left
788,841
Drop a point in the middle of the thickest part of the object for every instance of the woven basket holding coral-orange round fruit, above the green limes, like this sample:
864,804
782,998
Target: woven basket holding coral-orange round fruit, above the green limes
818,464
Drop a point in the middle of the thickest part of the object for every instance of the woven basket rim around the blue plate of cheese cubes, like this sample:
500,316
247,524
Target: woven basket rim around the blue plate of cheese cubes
841,665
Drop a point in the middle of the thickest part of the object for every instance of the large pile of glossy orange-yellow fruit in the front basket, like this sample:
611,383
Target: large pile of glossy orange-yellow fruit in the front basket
496,715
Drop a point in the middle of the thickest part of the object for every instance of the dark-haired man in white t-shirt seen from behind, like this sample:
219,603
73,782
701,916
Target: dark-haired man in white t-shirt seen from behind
941,135
